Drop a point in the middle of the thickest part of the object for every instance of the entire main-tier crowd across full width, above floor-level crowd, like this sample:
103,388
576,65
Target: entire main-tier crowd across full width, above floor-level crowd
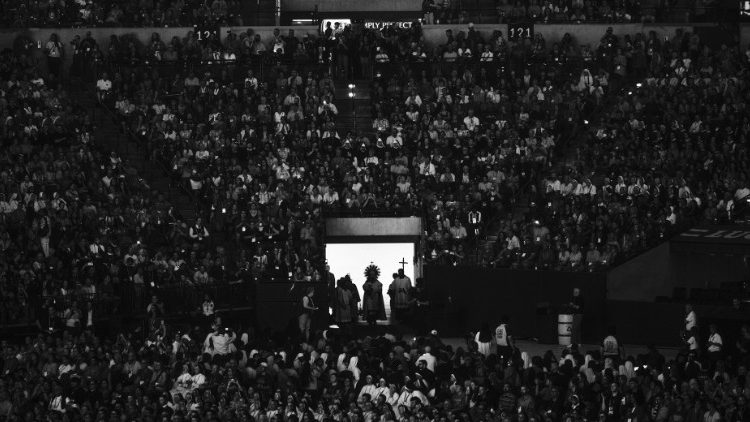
461,138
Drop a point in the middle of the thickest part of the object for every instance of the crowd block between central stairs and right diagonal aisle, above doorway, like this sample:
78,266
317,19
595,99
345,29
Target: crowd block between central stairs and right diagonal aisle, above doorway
468,131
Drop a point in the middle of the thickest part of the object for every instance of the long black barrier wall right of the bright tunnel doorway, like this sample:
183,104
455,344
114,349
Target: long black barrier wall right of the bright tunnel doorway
464,297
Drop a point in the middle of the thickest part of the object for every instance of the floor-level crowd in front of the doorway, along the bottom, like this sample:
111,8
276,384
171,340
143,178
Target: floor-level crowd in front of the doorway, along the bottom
222,372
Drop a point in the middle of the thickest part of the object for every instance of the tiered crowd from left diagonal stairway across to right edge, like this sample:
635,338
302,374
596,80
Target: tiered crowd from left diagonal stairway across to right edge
458,137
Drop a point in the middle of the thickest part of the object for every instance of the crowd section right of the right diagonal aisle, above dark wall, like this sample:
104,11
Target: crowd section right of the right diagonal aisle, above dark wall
664,155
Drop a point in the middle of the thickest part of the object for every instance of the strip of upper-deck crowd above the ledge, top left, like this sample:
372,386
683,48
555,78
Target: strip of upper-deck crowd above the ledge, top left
127,13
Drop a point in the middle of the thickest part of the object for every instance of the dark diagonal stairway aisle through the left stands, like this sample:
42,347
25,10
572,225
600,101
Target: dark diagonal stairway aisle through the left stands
110,137
